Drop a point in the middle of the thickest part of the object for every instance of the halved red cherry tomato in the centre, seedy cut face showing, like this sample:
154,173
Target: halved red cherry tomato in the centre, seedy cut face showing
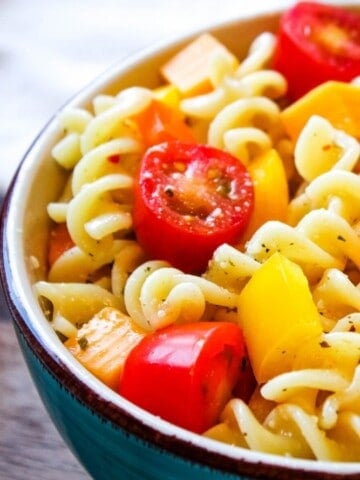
189,199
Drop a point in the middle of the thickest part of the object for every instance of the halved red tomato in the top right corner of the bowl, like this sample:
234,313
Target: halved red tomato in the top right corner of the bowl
317,43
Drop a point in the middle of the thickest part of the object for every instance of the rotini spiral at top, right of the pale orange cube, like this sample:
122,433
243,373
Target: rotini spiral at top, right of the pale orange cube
241,108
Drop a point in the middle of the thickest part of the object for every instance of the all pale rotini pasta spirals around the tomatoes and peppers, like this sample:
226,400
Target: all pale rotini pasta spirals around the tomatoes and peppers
312,410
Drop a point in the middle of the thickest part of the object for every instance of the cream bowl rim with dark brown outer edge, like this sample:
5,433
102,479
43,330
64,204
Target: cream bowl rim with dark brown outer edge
59,362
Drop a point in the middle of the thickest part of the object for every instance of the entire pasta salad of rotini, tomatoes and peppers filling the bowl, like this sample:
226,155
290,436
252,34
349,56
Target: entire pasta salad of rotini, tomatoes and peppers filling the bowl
204,259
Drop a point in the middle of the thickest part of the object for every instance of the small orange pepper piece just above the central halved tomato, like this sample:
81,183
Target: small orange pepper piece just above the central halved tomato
160,123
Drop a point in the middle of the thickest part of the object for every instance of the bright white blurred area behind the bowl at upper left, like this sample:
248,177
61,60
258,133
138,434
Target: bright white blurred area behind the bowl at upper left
49,49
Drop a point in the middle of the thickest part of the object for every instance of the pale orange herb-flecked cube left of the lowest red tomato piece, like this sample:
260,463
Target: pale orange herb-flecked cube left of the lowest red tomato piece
103,343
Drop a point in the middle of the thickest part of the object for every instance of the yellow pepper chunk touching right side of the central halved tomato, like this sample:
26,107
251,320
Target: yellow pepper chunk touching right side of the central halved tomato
271,191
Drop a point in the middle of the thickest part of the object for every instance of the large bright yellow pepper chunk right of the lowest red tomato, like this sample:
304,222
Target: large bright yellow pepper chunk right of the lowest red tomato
278,315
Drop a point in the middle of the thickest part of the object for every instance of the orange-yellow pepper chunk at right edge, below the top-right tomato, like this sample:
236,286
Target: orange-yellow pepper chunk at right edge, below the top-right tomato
338,102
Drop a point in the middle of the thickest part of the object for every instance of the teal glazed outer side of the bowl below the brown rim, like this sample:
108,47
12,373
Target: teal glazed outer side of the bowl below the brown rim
104,449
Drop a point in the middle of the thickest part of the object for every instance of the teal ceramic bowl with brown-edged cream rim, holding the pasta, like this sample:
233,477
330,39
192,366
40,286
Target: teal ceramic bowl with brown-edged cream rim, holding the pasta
111,437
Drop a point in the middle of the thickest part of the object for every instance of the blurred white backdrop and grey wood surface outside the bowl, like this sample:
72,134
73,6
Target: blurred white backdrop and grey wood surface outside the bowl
49,49
